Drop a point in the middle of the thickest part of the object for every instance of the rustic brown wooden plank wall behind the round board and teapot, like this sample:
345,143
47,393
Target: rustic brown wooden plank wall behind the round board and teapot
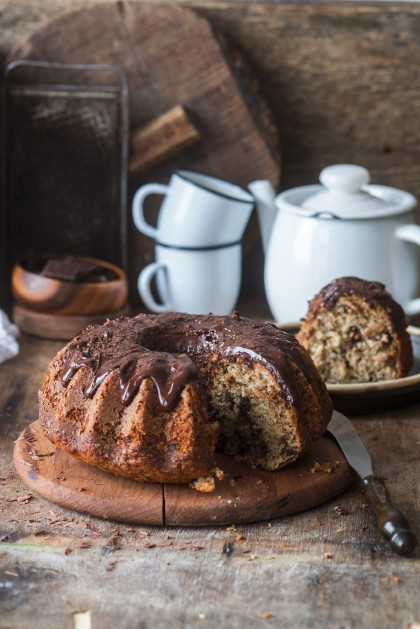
341,78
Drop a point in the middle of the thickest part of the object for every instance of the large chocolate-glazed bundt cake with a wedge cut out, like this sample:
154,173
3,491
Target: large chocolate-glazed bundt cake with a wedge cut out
149,397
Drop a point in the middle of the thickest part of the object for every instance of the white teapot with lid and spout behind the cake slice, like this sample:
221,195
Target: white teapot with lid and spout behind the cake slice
343,226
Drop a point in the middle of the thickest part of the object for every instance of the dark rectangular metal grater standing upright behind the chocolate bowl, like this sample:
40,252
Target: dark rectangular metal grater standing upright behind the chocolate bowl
64,162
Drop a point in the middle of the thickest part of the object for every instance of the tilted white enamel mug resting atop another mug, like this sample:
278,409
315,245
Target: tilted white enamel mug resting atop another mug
197,211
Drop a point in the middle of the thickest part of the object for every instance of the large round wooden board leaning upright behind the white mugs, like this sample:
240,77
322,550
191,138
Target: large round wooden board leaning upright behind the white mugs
170,57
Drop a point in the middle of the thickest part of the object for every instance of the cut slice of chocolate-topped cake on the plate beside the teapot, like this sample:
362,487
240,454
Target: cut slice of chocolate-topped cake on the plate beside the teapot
356,332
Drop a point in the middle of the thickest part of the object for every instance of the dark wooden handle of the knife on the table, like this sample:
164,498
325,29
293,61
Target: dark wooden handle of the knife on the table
392,524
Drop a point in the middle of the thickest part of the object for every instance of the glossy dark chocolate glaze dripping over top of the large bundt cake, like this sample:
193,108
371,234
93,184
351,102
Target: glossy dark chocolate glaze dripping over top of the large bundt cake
162,348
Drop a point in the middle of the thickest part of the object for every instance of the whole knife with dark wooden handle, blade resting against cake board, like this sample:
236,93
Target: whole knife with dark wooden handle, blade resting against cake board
393,526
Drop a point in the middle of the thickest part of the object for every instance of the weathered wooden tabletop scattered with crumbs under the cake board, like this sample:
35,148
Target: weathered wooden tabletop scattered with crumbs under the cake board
327,567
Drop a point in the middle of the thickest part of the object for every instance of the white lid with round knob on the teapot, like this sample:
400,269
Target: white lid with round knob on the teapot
345,193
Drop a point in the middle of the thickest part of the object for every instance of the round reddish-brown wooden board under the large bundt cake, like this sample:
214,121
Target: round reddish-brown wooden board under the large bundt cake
244,495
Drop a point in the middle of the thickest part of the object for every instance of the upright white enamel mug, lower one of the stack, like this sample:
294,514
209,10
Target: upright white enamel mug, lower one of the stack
193,281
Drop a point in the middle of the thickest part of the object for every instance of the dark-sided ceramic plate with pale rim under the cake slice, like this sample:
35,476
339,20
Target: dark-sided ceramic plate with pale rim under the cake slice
369,397
